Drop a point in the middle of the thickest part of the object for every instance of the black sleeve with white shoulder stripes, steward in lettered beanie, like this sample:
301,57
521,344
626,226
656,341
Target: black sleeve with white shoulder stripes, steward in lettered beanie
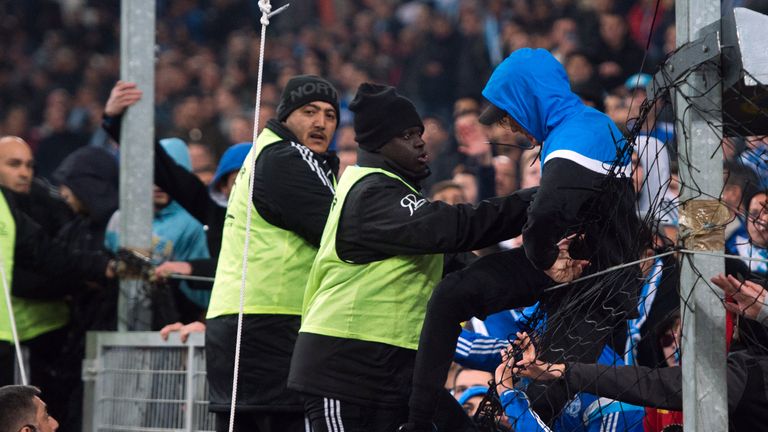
293,190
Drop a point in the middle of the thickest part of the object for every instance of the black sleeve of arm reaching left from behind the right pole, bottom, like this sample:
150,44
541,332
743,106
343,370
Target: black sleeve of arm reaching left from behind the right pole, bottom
637,385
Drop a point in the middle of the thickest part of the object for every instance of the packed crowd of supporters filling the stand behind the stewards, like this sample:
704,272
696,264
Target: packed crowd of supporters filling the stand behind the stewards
61,109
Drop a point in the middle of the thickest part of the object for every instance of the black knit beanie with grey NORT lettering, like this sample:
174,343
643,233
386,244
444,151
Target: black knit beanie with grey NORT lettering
303,89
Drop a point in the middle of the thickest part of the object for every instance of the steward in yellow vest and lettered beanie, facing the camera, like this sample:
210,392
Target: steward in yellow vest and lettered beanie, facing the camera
294,179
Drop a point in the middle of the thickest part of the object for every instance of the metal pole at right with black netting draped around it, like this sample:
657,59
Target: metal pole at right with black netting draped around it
701,166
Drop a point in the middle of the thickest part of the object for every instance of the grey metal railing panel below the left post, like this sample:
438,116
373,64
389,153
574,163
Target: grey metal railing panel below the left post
138,382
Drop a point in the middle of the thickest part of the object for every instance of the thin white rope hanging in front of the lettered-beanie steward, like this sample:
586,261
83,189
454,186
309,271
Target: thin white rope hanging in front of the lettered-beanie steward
266,13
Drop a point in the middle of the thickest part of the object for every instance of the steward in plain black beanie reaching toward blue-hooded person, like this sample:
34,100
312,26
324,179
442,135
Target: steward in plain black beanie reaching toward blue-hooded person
382,252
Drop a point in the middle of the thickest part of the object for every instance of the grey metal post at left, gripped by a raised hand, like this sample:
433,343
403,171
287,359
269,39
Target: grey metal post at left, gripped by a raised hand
137,64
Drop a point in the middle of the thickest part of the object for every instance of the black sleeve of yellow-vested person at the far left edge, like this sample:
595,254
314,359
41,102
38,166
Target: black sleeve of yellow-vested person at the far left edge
34,249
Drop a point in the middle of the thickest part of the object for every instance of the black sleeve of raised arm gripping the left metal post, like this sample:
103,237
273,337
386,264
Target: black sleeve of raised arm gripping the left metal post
182,186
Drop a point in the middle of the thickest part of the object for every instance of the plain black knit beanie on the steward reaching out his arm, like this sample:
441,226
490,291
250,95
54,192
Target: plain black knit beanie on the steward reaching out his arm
381,114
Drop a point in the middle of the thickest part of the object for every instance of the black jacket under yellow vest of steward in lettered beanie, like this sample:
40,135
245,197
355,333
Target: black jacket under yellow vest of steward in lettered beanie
289,194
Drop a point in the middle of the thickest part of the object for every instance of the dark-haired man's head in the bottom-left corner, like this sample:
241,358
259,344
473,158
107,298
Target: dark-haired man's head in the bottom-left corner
22,410
